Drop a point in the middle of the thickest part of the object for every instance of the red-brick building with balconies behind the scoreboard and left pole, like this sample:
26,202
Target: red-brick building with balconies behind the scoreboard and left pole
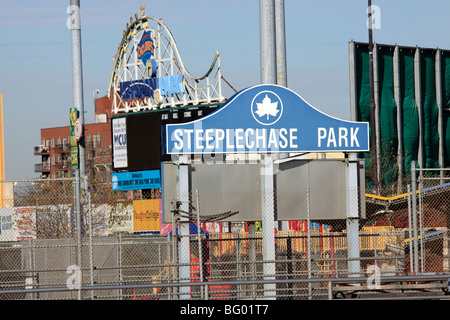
54,148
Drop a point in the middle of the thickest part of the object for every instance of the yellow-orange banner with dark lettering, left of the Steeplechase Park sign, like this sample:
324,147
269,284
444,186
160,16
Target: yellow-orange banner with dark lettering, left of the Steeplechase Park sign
146,215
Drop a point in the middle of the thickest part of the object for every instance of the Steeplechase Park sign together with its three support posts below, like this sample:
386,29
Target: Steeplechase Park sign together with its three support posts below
269,120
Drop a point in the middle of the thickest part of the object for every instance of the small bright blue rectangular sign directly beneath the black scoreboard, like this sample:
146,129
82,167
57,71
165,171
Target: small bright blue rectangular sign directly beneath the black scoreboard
136,180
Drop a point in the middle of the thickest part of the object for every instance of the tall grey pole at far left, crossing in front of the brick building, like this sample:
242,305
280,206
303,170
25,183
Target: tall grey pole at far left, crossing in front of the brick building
77,75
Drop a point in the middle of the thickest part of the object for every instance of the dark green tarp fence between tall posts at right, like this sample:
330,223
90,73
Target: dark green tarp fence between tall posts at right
412,132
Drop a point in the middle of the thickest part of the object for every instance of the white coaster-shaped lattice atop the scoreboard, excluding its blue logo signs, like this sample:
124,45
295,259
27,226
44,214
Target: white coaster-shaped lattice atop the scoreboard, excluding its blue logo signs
206,89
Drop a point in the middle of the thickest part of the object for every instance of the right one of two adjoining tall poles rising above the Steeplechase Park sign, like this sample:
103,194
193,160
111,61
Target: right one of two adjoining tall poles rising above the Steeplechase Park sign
280,36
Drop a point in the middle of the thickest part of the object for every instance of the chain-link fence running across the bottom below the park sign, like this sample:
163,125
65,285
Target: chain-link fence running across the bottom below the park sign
39,247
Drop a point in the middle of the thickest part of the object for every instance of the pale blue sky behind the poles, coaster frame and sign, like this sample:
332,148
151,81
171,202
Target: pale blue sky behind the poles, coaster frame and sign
35,52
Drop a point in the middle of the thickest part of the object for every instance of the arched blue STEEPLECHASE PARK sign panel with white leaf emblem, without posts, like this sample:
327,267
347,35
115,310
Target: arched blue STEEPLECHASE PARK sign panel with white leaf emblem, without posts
266,119
